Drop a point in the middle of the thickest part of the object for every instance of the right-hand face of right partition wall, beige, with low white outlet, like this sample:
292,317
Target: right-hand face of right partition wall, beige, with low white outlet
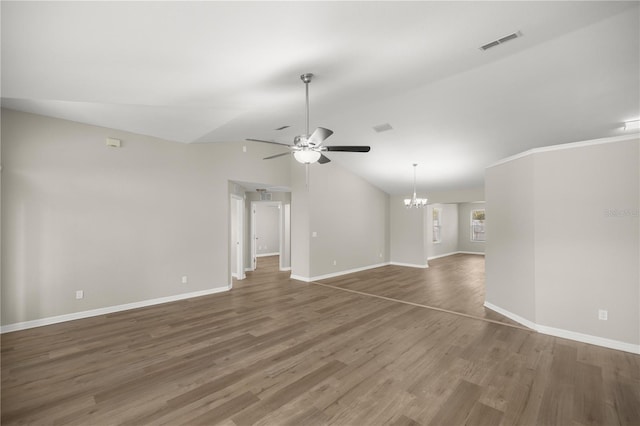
587,256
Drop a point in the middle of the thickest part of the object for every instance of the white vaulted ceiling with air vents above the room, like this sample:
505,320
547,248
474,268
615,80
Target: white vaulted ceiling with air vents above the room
225,71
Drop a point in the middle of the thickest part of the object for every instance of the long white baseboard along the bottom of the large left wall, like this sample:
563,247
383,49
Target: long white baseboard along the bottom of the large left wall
107,310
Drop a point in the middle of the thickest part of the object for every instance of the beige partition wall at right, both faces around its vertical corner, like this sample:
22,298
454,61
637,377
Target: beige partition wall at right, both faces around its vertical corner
563,242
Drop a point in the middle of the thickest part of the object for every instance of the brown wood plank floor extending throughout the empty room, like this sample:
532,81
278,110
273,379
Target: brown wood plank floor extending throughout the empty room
275,351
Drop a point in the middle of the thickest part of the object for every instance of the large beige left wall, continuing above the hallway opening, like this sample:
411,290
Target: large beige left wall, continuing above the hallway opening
124,225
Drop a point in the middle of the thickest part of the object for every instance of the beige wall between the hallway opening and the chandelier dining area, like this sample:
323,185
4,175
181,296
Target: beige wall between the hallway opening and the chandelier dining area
348,215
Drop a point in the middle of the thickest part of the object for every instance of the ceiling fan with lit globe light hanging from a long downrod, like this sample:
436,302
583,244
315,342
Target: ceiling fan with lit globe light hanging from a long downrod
308,148
